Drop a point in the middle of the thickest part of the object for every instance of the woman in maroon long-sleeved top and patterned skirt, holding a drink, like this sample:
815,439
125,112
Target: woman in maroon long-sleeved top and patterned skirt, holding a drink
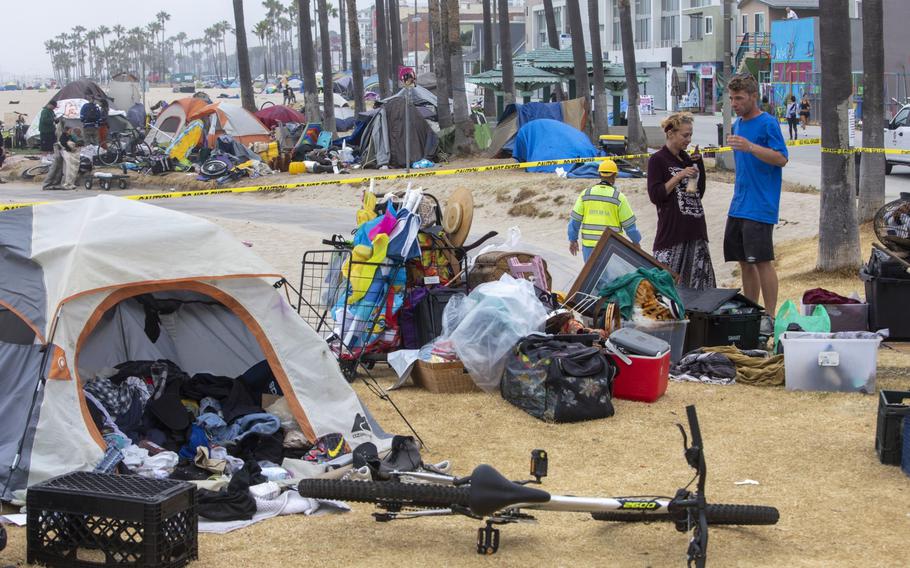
676,184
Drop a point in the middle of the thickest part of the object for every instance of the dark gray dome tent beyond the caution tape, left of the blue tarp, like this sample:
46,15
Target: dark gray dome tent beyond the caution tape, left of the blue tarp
383,140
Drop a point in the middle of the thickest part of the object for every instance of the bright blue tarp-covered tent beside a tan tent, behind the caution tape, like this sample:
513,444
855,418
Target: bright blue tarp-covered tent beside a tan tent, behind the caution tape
547,139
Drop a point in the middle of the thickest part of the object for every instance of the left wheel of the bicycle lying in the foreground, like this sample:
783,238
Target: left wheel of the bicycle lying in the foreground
427,495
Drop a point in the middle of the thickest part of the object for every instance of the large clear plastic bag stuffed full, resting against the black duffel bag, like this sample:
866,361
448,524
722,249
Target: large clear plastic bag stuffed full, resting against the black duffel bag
491,320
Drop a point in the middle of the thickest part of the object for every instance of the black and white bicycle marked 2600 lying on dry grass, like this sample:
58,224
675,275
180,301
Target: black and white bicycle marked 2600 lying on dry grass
488,496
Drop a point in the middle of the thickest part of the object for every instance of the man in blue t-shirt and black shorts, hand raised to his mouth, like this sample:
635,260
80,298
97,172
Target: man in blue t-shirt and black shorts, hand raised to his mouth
760,154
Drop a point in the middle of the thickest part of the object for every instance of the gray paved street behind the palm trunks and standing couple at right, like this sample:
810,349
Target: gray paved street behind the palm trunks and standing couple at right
805,161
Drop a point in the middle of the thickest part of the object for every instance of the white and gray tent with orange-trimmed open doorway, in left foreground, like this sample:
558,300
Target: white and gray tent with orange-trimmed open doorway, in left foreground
71,278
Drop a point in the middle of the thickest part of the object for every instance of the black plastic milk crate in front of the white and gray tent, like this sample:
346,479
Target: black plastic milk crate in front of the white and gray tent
84,519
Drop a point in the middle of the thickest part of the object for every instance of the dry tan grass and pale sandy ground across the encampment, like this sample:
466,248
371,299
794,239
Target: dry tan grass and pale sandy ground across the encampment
811,453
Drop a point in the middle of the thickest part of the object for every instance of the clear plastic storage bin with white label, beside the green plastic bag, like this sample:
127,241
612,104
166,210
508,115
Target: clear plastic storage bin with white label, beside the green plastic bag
818,362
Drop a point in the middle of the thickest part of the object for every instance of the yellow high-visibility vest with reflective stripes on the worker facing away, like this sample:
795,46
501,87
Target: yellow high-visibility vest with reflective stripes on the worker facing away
600,208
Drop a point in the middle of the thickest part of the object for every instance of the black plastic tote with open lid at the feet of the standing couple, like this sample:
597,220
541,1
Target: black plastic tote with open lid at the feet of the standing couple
707,329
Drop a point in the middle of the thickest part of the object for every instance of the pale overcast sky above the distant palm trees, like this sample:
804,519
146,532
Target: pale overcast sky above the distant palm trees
31,22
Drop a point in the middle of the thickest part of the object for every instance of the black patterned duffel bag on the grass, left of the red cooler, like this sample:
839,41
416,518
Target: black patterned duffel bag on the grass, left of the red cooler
559,380
